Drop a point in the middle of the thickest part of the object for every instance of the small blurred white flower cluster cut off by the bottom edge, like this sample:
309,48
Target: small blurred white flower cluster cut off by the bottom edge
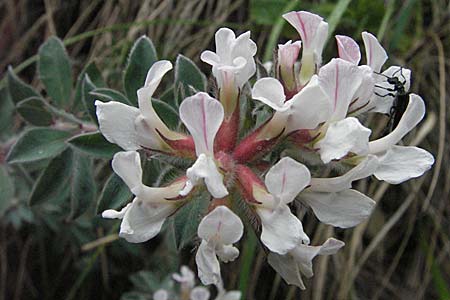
188,290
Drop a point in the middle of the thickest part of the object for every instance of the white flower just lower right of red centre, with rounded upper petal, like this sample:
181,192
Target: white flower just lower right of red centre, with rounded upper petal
281,230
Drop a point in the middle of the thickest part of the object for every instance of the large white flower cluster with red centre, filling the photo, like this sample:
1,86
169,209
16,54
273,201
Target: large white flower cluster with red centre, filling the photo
316,109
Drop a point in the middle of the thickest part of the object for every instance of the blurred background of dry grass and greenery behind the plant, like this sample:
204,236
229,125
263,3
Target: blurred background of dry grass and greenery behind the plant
402,252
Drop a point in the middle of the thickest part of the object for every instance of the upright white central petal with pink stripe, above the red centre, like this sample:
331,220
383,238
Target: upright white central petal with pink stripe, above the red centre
202,116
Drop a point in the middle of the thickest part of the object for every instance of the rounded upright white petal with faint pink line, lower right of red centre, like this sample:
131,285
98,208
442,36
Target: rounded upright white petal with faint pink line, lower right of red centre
287,178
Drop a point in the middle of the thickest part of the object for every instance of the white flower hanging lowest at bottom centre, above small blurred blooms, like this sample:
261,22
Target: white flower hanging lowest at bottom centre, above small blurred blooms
218,230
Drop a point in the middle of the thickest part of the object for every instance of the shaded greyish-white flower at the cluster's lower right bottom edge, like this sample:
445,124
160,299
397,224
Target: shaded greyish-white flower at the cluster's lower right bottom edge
299,260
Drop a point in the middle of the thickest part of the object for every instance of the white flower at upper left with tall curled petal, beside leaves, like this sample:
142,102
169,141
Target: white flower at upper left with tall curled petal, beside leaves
132,128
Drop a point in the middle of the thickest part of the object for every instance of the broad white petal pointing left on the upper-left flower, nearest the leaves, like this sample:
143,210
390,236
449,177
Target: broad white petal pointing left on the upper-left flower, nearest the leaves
116,122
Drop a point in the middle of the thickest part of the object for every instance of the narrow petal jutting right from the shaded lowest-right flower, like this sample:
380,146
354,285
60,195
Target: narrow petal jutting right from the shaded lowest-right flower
304,254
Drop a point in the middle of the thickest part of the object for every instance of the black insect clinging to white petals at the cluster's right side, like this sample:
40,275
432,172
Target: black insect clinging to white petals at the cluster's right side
400,95
